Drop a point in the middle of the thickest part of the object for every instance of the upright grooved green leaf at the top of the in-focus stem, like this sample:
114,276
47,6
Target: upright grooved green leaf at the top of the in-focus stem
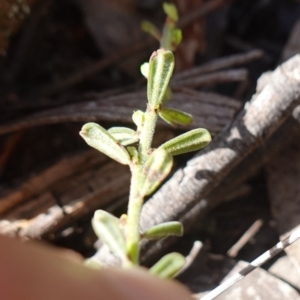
161,67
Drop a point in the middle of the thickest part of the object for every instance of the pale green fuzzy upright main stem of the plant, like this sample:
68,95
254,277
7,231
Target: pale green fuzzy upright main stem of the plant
135,198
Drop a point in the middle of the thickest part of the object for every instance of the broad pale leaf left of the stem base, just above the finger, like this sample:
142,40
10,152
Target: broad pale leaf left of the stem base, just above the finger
107,228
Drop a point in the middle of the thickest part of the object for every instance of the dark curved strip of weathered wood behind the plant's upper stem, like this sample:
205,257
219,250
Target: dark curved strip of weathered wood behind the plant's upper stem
209,109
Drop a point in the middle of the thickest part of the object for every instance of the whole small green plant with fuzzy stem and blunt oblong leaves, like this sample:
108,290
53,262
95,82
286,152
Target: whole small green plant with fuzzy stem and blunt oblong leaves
148,166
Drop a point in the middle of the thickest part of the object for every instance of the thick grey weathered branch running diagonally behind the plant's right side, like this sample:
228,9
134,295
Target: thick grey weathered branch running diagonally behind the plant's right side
234,155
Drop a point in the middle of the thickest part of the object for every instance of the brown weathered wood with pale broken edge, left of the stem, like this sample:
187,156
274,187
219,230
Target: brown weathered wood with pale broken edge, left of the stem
65,192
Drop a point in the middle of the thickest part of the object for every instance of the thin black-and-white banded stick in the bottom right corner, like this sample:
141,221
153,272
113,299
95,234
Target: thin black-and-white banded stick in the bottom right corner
253,265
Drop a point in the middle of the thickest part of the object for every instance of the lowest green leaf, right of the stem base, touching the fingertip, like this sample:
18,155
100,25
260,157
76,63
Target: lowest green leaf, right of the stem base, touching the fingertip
168,266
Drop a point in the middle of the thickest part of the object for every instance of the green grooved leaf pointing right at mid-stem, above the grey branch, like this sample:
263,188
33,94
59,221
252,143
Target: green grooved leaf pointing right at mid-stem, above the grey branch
187,142
